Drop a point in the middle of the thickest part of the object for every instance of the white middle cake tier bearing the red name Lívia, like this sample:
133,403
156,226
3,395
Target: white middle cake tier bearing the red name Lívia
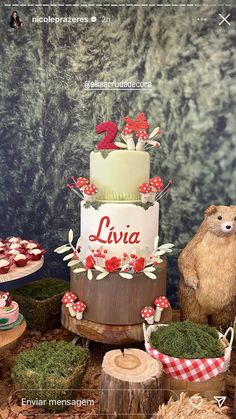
119,228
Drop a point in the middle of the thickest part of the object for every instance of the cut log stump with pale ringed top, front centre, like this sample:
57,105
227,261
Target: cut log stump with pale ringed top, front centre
129,385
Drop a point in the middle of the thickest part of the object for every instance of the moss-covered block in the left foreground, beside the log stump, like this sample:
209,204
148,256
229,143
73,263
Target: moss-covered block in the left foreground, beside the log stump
50,371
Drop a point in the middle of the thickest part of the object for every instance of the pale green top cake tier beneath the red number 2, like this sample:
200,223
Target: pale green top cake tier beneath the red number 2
118,174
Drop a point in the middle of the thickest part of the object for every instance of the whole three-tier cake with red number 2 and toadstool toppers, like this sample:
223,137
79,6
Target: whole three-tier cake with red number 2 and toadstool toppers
117,265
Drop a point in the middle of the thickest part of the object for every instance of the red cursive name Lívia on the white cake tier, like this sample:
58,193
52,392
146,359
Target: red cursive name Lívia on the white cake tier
106,234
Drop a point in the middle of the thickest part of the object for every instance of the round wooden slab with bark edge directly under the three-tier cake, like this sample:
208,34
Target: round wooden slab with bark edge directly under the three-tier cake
104,333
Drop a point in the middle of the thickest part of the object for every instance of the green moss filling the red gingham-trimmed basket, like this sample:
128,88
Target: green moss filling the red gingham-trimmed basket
187,340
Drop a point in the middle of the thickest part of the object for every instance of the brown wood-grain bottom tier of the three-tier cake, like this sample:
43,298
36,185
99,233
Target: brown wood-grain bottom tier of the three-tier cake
115,300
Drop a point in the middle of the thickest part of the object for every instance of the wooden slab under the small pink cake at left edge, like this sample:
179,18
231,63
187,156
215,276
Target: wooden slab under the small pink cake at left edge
9,338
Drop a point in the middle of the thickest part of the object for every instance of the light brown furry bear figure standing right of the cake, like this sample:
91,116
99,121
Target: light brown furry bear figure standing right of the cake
208,270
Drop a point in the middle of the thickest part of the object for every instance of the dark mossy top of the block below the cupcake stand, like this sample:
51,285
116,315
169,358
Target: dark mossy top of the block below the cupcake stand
43,289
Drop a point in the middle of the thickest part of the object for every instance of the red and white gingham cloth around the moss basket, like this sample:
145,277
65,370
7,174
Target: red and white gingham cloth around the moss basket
188,369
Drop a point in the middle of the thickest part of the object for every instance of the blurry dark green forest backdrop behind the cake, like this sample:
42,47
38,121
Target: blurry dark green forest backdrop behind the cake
47,118
